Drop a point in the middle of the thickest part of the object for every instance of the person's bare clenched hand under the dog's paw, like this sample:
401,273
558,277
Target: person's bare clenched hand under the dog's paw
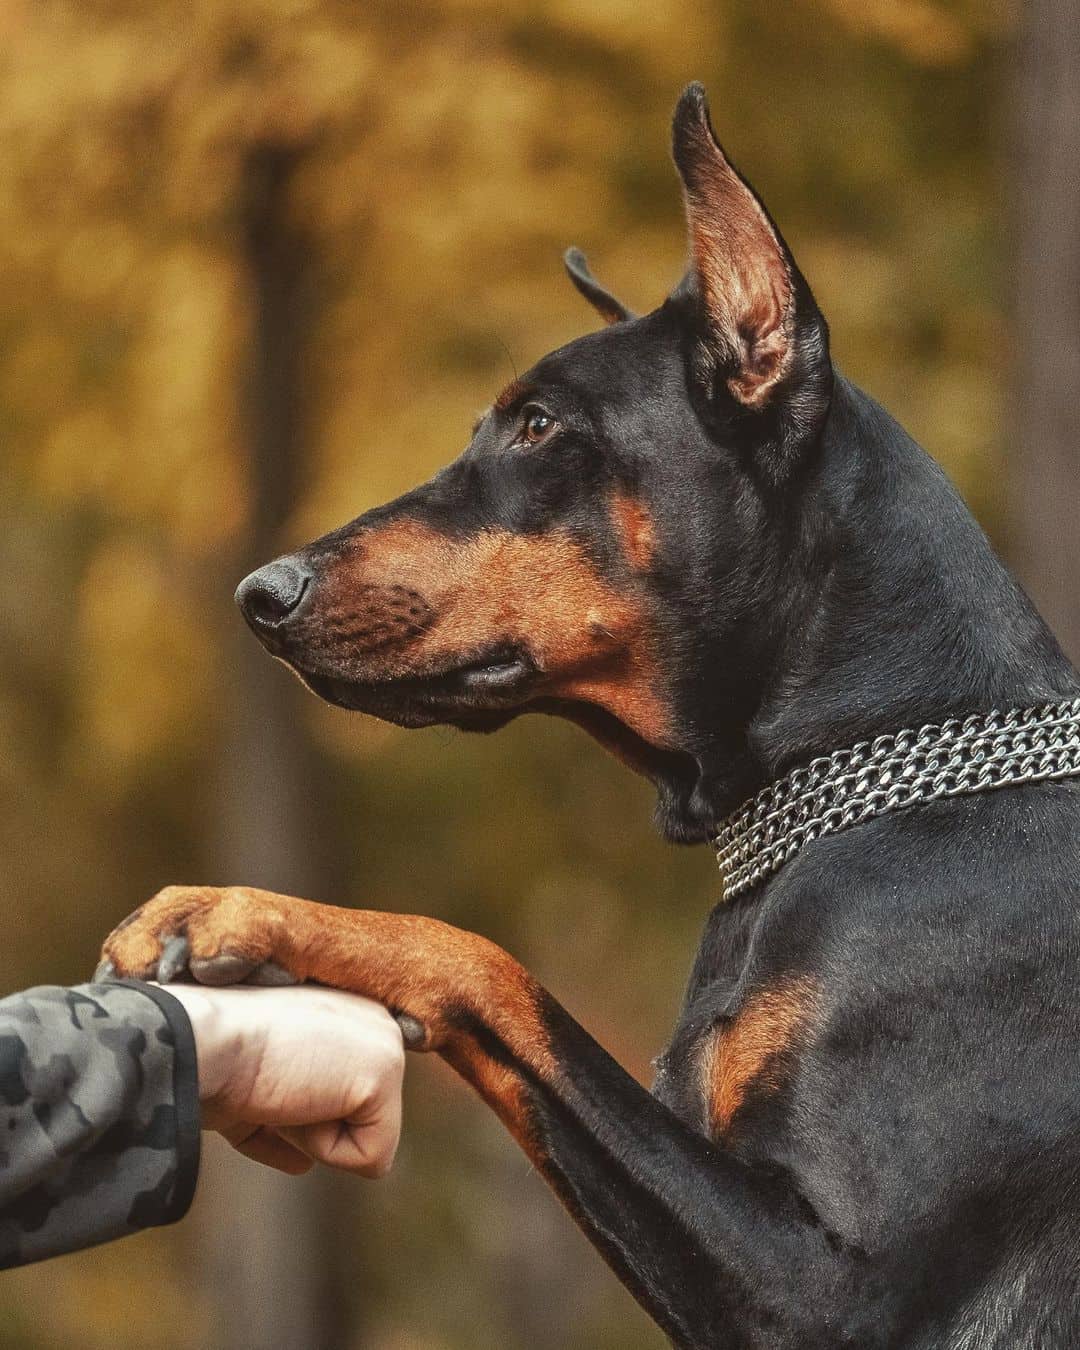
296,1077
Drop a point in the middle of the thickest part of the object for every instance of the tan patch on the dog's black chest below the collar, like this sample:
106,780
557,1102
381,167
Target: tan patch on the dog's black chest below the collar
746,1051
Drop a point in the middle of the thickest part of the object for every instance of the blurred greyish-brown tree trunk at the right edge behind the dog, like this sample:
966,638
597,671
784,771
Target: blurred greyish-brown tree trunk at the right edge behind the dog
1047,434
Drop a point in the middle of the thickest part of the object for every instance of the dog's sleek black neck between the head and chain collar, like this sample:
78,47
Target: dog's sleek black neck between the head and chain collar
890,610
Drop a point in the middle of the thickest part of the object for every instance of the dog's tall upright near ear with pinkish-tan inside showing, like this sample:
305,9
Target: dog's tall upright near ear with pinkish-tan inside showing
763,331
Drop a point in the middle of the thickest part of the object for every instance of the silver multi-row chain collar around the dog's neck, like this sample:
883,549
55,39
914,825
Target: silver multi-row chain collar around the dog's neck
832,793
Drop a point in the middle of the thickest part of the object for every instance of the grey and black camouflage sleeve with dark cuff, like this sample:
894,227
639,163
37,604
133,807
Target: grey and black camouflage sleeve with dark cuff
99,1117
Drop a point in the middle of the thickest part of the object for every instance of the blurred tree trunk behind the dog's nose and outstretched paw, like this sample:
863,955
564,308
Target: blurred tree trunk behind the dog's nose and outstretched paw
269,1244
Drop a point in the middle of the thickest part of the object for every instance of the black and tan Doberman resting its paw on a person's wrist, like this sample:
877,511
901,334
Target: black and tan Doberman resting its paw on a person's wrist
691,535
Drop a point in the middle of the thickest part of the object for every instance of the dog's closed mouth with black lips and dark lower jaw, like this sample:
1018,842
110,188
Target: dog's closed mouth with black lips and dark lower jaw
477,695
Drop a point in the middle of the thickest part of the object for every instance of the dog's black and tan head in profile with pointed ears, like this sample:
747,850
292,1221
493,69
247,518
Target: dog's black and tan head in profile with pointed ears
607,547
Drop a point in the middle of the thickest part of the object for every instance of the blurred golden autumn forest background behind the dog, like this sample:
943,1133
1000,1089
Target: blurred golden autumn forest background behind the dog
263,263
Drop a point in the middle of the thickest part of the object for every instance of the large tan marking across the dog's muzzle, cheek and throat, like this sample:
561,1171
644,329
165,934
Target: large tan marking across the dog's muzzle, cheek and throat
411,601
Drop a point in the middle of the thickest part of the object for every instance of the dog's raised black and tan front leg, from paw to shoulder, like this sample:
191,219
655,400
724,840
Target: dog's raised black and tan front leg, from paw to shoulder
718,1255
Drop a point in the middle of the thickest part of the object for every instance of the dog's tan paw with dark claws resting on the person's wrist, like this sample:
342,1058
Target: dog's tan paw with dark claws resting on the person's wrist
211,935
